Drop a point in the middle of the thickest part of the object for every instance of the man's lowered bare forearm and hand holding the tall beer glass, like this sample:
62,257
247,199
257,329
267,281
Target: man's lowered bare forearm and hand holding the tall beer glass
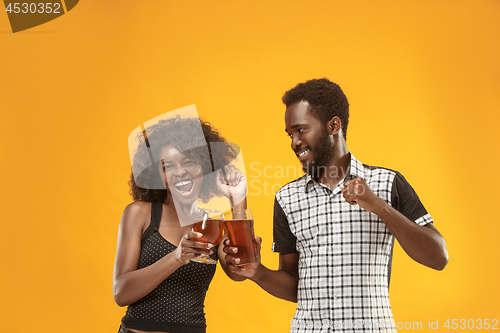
281,283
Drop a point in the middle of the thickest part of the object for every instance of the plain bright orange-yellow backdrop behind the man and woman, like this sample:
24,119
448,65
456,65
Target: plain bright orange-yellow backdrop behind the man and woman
422,78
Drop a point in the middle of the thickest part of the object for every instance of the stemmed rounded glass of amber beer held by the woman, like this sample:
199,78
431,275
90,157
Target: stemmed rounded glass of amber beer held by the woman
209,224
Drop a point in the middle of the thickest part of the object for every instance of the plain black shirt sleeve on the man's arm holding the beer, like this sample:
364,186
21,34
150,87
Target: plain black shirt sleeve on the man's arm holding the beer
284,239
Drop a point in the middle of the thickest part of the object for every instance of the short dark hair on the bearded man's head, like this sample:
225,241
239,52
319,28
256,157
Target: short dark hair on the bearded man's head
326,100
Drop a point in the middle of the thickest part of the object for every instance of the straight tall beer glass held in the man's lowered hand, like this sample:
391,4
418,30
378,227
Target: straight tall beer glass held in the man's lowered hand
239,230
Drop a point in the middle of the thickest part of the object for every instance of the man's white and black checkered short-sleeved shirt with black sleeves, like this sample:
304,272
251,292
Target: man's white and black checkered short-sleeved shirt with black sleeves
345,252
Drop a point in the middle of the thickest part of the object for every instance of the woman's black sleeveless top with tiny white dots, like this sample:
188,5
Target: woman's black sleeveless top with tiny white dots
176,304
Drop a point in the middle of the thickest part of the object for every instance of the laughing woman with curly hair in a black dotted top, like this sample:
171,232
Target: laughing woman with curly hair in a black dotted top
153,274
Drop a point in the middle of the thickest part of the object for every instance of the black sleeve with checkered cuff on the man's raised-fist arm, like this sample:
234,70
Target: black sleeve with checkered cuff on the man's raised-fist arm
406,201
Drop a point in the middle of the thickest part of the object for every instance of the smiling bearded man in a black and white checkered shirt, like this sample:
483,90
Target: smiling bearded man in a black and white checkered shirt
334,227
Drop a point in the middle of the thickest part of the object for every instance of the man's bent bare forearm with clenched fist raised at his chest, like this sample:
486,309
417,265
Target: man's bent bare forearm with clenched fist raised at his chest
423,244
